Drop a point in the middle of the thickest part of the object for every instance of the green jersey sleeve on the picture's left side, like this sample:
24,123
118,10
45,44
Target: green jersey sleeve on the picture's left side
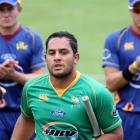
25,109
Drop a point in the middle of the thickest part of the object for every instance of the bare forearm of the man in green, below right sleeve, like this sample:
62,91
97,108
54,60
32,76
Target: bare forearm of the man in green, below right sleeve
116,134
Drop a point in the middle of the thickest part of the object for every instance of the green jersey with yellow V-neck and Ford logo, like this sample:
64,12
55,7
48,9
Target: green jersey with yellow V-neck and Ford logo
59,114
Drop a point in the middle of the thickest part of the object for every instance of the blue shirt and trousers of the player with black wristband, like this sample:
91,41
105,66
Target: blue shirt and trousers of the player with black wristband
120,50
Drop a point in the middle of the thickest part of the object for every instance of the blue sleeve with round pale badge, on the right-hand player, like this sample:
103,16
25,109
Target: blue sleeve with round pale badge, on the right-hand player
110,51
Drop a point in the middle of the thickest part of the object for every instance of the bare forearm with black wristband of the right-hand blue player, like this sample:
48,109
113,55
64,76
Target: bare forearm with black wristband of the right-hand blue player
116,79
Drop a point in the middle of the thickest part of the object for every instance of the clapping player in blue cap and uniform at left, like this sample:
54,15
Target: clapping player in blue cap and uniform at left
21,58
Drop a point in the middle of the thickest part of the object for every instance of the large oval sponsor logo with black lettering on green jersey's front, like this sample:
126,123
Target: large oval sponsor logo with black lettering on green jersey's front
60,130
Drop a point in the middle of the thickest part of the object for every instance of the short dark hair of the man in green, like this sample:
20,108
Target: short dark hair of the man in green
72,39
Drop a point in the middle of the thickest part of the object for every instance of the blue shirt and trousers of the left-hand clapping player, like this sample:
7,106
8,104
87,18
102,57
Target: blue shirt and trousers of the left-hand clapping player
26,47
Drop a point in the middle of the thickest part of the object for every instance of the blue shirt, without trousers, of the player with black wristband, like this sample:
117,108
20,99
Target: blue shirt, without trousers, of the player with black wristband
120,50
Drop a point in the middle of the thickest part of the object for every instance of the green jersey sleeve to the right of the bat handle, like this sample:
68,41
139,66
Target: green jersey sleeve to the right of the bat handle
106,112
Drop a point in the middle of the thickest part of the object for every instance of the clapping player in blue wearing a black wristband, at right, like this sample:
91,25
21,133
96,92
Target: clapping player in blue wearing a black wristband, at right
121,63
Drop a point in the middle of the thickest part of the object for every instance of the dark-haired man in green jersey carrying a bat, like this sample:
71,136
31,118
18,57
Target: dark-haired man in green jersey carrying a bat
53,102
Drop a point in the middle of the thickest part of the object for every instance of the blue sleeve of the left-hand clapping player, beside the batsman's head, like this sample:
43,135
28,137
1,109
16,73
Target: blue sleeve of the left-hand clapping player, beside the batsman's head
37,58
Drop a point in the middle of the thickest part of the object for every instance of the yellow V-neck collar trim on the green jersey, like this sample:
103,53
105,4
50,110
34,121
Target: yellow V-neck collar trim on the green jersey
61,91
